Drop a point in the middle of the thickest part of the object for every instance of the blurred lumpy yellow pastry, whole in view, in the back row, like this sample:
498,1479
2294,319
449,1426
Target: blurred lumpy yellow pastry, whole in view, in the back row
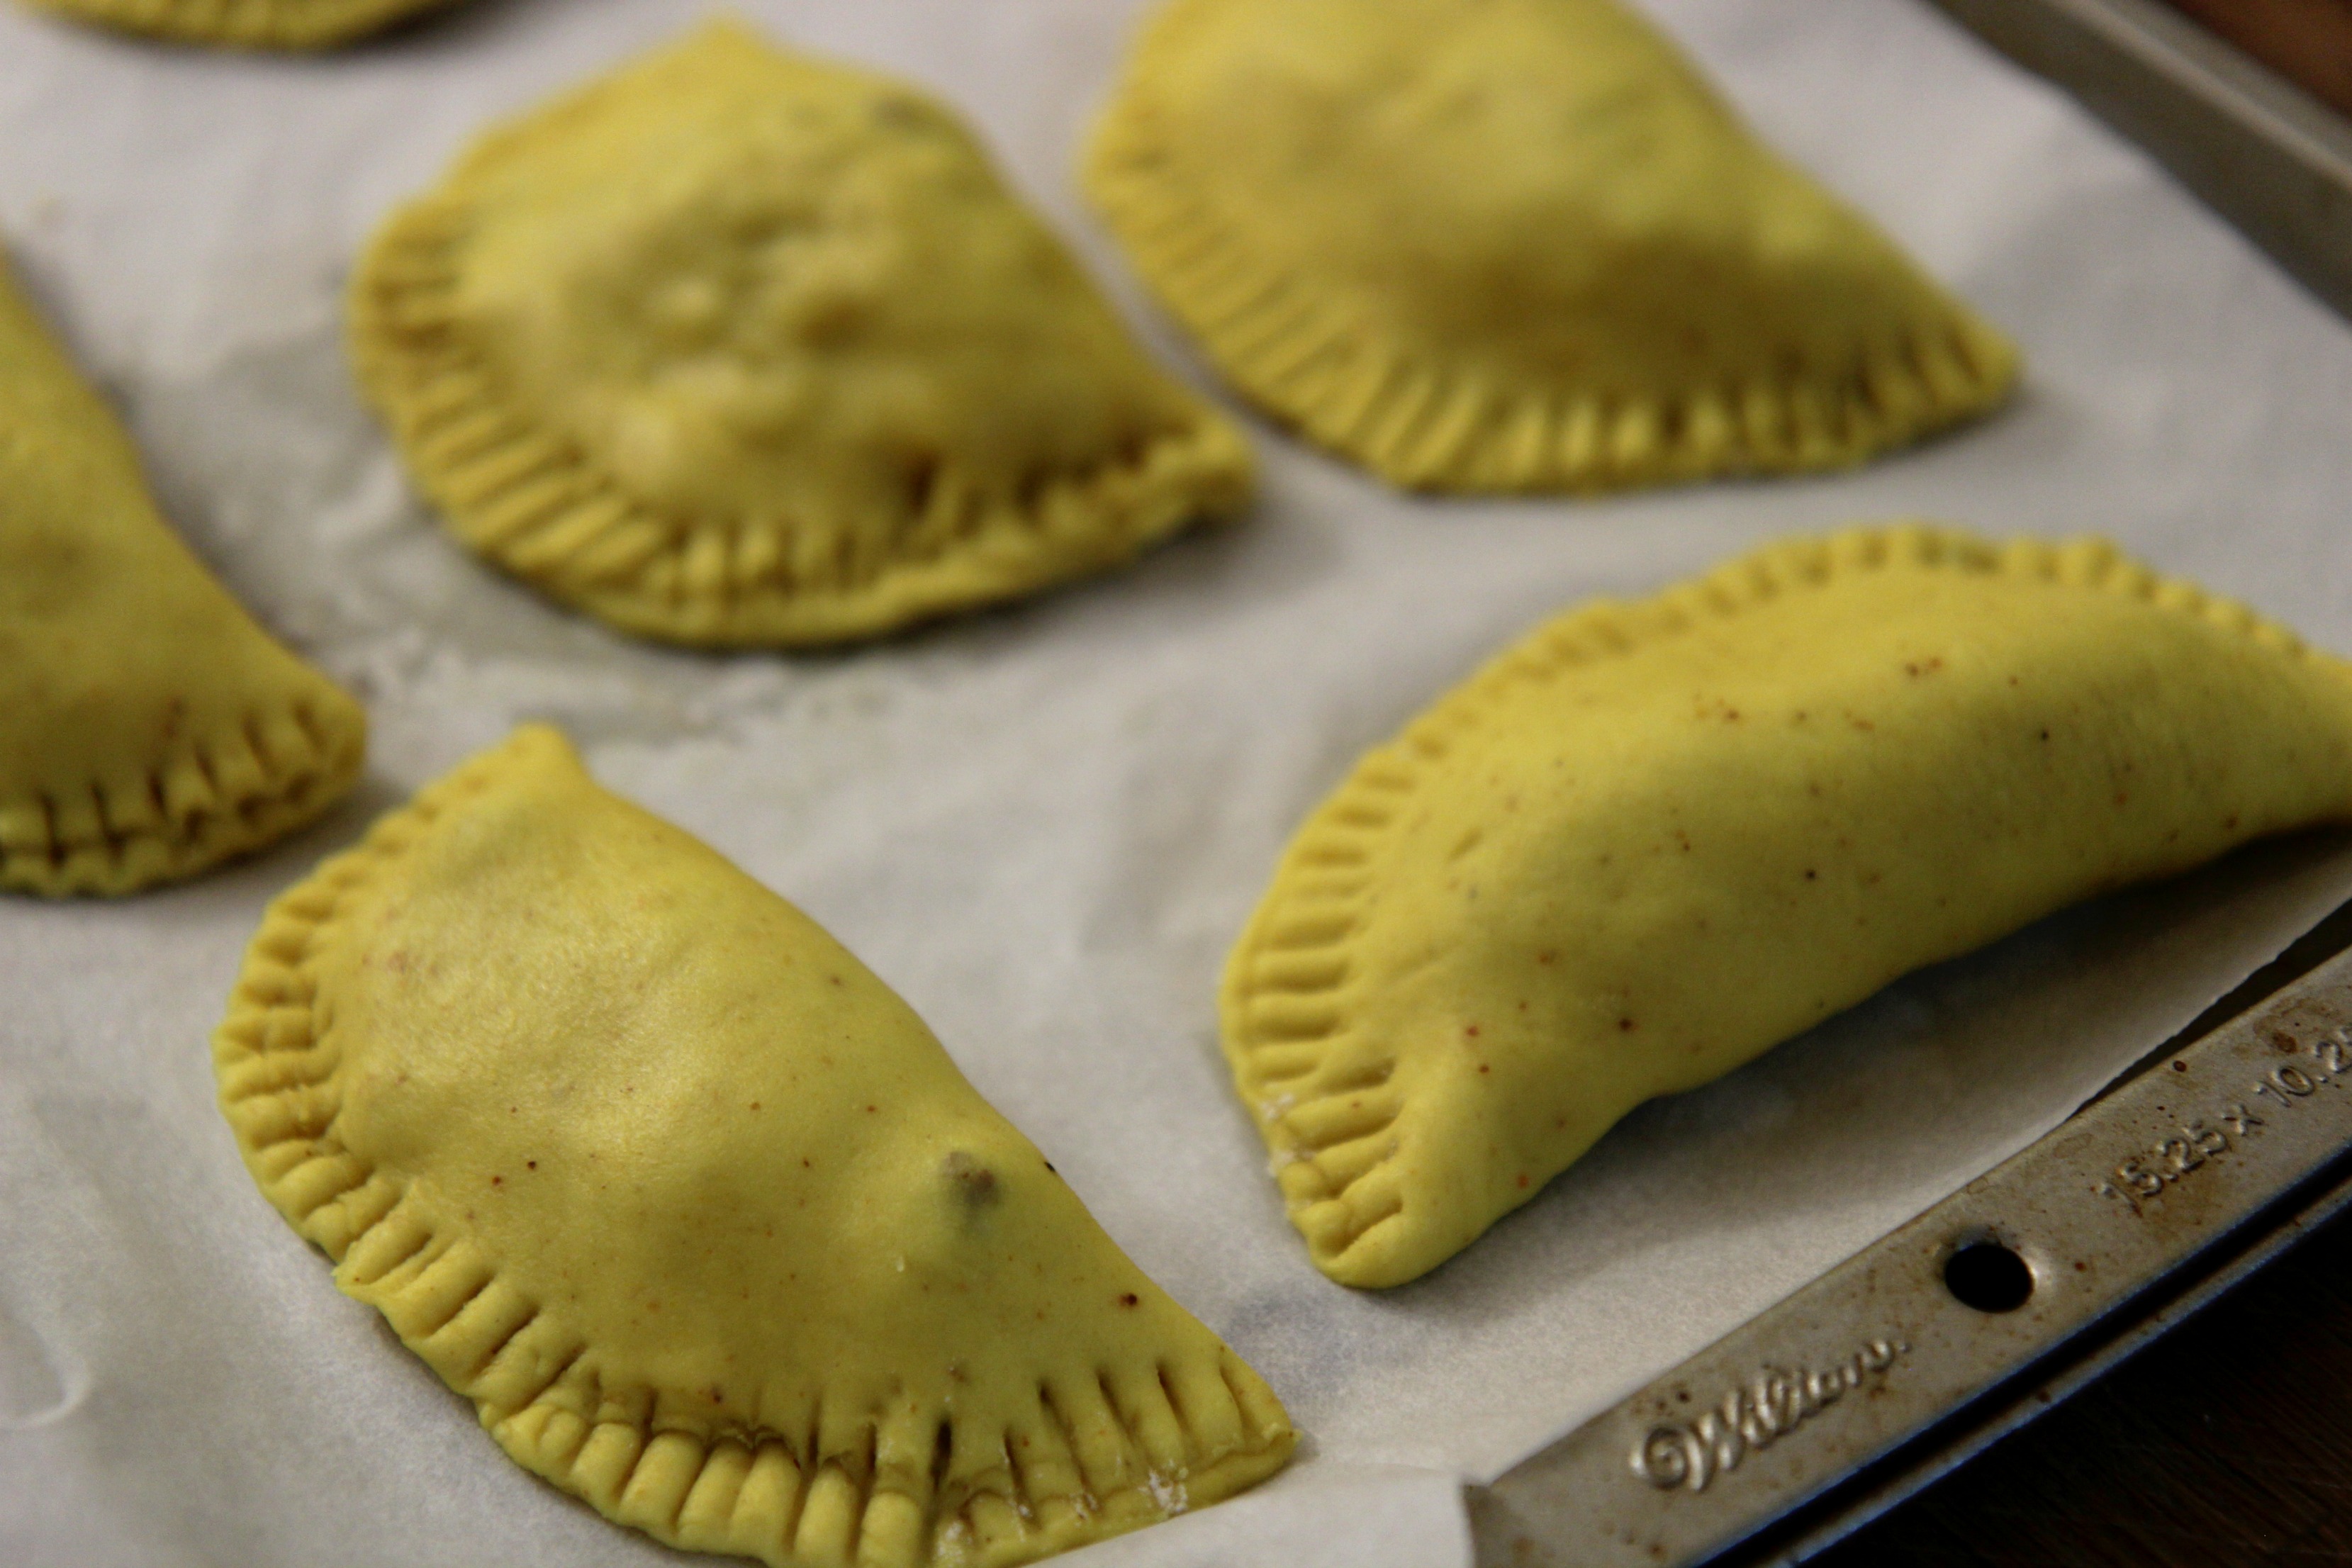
747,349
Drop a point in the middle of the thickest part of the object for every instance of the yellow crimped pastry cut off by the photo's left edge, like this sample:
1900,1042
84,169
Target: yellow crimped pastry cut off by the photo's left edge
147,725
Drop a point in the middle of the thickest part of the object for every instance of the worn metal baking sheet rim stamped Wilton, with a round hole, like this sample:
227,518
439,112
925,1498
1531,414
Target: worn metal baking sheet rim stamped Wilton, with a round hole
1972,1320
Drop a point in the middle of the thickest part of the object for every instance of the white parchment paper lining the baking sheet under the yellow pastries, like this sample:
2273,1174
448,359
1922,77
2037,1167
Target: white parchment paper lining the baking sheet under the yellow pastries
1043,826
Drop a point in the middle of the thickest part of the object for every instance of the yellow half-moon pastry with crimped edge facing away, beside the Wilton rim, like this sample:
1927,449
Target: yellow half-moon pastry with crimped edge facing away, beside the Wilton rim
1652,840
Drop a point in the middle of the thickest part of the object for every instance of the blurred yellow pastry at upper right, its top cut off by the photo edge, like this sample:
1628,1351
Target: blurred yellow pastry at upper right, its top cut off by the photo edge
1516,246
